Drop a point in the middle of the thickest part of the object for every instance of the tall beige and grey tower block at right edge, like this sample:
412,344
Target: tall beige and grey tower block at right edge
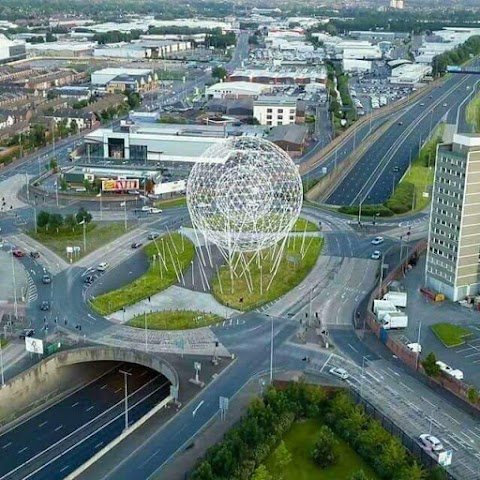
453,257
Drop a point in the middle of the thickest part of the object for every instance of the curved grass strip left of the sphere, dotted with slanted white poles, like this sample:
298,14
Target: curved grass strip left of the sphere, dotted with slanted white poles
160,275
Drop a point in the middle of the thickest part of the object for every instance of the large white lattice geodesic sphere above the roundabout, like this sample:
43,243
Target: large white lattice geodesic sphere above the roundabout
245,194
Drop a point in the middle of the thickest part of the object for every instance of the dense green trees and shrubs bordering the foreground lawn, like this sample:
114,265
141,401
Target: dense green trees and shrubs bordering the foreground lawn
242,453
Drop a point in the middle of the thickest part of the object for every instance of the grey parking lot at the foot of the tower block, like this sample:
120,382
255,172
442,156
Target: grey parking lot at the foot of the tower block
423,313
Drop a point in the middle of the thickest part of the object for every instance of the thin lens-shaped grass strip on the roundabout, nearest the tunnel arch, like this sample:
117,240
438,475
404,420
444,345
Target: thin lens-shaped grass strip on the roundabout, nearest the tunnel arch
175,320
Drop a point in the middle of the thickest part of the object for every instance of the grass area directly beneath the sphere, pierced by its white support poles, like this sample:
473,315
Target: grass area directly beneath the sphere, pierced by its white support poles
293,269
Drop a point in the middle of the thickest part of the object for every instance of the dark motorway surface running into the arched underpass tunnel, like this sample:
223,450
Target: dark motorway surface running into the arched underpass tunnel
80,424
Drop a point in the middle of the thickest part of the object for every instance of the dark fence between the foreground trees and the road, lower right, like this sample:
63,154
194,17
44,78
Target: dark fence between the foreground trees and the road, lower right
408,442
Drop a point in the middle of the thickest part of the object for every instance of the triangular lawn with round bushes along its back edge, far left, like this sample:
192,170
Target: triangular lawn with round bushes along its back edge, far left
97,235
